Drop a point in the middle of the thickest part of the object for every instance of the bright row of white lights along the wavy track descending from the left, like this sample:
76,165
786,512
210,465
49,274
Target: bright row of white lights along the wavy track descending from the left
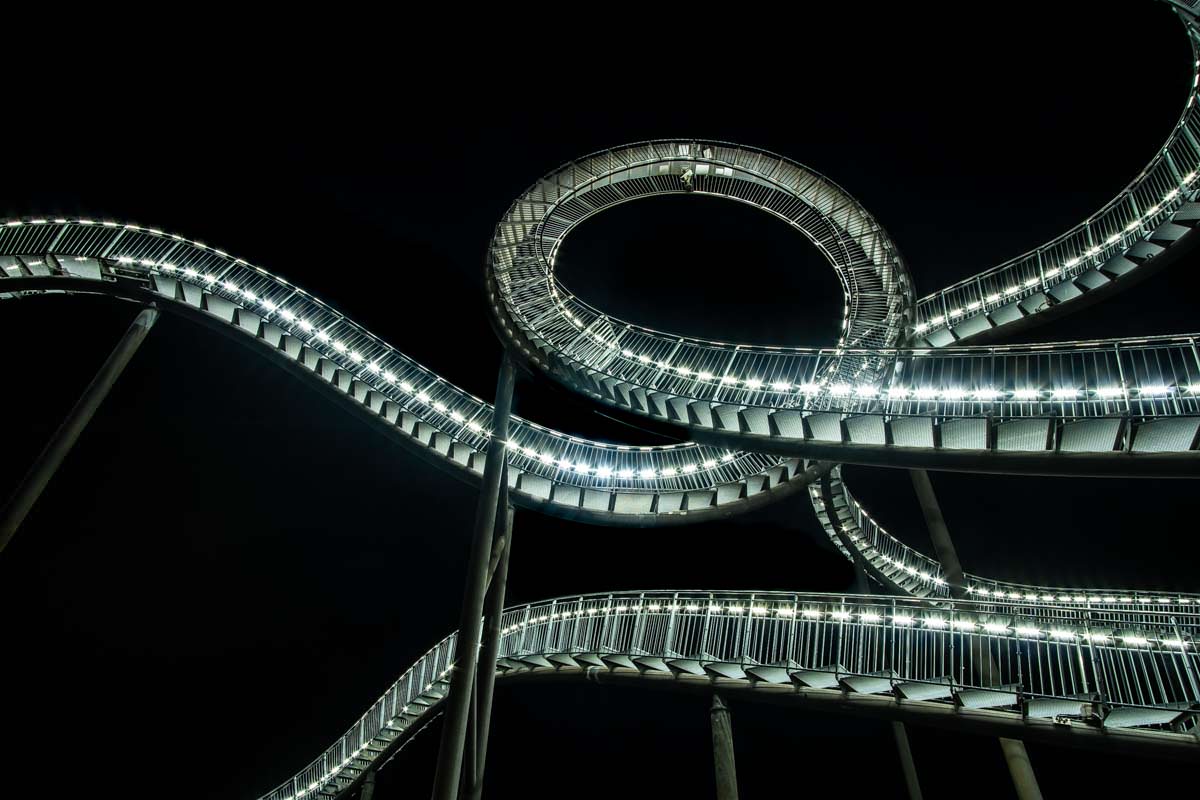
422,396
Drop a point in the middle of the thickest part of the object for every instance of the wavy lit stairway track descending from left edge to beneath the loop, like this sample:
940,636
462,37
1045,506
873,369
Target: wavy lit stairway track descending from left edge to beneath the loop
549,471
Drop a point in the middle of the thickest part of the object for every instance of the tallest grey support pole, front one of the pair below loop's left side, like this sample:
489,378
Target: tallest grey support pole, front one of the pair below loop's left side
463,676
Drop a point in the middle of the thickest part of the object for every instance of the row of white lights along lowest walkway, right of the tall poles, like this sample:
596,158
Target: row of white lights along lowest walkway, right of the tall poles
845,616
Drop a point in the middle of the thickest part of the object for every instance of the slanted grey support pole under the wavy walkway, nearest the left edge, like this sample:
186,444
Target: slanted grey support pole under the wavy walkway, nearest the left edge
61,444
